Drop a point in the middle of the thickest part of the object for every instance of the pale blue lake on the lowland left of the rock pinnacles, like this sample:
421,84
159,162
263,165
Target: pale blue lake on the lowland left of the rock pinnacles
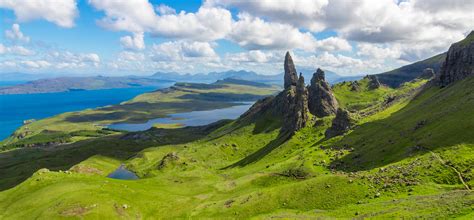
194,118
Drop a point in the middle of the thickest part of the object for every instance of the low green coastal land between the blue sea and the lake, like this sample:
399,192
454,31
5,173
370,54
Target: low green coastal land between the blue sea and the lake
90,123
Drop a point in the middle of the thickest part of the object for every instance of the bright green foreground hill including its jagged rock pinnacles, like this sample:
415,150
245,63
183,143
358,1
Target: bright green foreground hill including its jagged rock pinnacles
354,150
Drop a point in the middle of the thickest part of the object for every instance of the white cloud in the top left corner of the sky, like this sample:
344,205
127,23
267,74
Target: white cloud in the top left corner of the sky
62,12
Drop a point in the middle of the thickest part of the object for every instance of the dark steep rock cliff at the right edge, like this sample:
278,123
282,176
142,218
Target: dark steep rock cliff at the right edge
459,61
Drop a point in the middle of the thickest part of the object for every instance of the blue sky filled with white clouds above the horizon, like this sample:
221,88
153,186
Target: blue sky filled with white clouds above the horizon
141,37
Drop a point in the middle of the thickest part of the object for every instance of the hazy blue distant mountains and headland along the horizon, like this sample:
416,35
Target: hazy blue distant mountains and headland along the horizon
43,83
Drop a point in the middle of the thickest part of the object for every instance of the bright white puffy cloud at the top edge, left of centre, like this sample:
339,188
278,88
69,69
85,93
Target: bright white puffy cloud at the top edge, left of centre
206,24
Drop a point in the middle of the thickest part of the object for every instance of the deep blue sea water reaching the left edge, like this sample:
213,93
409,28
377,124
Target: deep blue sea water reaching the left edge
16,108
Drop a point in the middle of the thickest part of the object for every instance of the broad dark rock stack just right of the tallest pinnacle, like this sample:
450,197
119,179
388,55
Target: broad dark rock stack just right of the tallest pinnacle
321,99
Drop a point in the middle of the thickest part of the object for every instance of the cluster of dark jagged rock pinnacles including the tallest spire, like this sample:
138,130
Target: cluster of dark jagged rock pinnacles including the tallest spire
294,104
